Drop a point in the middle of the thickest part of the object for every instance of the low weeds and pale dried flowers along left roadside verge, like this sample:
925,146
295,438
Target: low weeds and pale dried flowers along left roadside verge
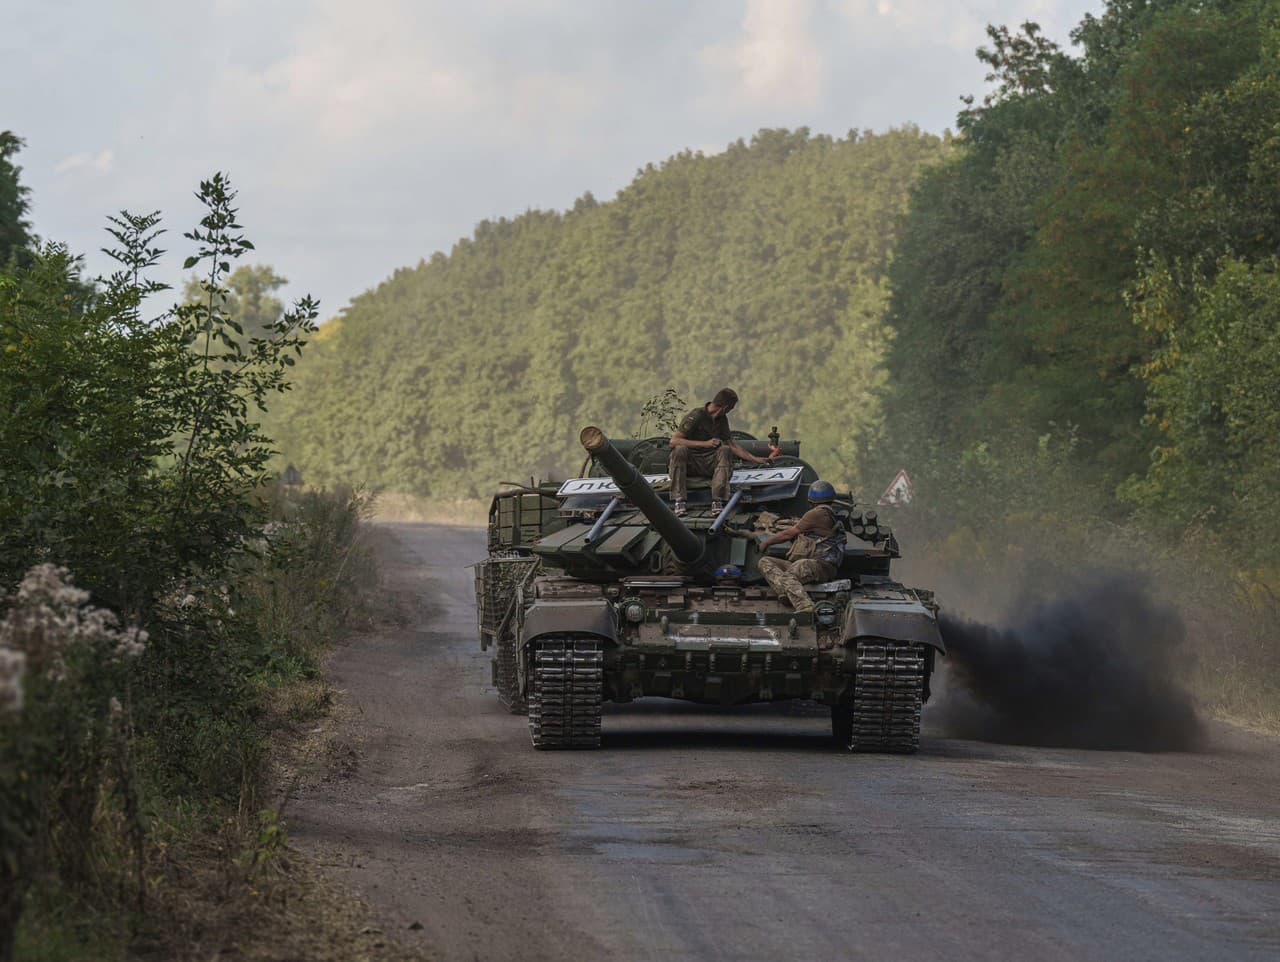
193,874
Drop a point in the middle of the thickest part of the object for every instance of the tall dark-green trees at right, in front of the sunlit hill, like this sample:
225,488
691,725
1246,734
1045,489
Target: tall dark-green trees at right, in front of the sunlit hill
1099,265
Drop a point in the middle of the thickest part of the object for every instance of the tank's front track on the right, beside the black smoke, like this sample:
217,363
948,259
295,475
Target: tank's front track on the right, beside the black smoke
889,691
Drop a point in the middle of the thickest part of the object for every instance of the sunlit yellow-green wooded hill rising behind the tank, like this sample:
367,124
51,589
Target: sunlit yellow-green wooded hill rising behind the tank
762,268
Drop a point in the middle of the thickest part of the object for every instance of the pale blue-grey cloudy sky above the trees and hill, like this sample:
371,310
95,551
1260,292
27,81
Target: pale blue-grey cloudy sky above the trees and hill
363,138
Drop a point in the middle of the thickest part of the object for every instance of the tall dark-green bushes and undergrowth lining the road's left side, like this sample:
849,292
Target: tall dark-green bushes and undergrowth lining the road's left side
162,595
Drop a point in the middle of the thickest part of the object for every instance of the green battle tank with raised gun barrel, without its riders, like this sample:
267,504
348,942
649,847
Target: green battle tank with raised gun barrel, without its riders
595,592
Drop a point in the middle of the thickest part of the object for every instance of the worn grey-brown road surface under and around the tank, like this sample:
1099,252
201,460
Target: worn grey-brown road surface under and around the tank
696,835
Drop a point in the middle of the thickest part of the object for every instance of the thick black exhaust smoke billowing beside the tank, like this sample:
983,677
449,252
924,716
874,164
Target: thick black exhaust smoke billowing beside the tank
1096,670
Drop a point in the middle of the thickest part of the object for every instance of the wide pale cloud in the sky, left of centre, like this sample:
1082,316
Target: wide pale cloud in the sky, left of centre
404,71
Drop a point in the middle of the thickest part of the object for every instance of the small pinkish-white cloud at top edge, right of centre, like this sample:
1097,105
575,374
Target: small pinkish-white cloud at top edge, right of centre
776,61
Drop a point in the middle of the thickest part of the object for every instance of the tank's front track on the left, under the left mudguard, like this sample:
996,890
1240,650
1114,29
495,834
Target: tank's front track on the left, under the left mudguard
566,686
